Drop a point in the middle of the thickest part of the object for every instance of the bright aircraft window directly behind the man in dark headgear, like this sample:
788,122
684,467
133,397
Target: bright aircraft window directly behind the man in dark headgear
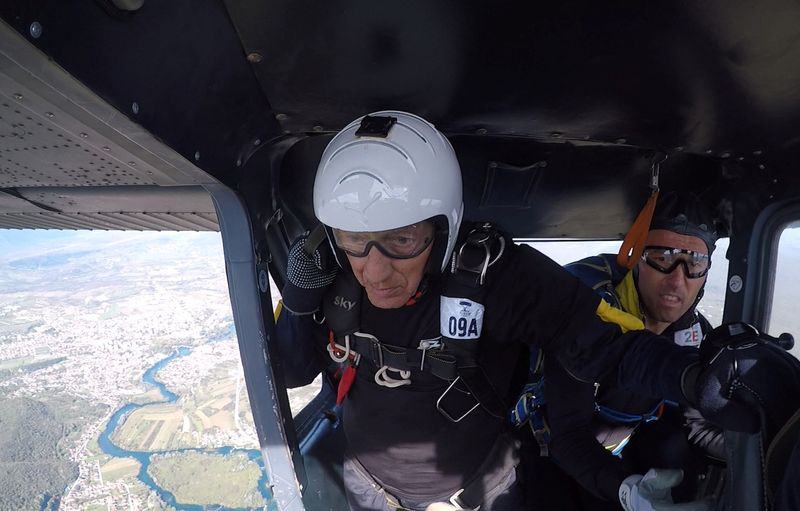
710,305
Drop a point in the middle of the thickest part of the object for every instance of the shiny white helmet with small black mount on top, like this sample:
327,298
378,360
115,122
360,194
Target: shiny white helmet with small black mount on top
387,170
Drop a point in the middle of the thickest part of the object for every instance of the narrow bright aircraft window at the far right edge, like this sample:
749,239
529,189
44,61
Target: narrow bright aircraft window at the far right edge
783,317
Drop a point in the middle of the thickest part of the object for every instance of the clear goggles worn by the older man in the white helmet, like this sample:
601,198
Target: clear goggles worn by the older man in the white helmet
401,243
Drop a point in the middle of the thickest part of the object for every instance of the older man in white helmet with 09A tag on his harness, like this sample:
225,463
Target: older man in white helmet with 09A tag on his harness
430,322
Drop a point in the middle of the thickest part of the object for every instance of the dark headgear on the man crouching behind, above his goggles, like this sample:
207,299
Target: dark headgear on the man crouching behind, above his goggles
686,214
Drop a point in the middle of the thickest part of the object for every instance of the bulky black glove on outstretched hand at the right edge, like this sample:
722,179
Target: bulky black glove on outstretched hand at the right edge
745,381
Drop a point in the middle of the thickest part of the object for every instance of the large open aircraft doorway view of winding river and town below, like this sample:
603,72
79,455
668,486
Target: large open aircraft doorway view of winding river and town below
121,384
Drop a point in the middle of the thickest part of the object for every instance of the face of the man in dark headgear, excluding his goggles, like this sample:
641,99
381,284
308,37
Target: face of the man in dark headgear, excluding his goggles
667,296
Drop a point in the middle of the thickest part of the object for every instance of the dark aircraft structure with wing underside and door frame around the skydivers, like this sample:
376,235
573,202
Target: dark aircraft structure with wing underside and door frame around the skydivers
212,115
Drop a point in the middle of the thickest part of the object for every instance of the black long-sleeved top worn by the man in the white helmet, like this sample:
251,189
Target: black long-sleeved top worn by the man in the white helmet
399,435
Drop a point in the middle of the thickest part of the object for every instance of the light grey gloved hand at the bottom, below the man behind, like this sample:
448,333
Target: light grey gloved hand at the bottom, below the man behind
652,492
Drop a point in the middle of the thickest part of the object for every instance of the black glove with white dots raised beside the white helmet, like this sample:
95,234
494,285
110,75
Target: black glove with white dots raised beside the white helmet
311,269
